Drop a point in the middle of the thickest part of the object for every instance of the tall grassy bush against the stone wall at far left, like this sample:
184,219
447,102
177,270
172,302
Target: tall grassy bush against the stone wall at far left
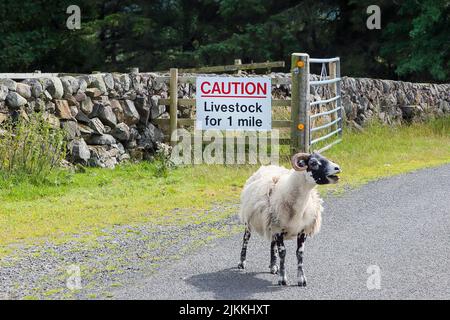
30,149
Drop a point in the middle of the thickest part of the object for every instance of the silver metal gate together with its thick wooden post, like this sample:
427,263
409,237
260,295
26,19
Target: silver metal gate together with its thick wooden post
312,129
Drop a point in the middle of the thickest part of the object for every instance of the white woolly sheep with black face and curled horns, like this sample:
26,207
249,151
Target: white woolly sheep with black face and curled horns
282,204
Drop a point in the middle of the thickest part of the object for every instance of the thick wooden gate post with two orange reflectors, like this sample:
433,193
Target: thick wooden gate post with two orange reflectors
300,103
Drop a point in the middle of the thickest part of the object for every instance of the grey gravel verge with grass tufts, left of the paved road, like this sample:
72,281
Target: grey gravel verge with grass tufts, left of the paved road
122,254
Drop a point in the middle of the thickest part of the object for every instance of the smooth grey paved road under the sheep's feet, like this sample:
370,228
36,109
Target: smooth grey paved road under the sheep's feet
401,224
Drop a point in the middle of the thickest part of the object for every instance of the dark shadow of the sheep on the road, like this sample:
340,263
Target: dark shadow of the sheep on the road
232,283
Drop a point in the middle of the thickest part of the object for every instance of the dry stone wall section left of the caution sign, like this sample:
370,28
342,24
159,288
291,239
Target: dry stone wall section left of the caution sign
107,117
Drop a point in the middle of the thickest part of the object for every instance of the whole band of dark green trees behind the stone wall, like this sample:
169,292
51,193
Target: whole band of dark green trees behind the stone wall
156,35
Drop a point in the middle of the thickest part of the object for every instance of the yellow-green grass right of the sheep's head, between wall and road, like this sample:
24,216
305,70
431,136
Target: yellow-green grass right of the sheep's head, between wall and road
386,151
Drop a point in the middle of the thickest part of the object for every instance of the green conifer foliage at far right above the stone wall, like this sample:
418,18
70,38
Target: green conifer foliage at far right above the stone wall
418,42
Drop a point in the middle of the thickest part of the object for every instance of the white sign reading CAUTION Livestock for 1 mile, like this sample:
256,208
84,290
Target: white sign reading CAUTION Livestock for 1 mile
233,103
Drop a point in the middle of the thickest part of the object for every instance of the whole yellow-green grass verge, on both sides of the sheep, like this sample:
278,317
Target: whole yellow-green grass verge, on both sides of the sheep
134,193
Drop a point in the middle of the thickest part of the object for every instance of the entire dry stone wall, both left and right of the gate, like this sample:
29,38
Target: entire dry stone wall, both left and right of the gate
108,116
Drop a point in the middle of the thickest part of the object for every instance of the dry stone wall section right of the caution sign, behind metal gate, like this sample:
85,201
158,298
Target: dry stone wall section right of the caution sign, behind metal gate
391,102
